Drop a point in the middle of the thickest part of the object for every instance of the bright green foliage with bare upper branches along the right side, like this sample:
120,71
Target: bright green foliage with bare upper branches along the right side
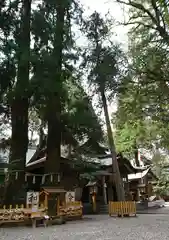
142,116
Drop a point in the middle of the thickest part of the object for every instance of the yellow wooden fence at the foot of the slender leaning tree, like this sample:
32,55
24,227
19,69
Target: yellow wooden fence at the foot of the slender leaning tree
122,208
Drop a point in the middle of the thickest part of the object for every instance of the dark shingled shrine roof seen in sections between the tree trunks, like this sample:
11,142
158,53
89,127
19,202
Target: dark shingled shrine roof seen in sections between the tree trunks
93,150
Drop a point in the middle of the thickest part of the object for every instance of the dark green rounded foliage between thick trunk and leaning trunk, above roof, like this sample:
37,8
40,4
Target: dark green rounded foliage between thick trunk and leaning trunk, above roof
81,119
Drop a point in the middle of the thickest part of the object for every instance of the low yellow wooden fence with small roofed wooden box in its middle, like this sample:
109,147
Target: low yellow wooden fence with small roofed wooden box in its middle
51,205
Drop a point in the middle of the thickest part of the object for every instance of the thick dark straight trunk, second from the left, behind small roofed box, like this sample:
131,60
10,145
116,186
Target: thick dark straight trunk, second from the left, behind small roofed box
52,164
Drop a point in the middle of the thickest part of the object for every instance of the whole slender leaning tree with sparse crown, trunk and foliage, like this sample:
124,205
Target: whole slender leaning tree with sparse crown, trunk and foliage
103,75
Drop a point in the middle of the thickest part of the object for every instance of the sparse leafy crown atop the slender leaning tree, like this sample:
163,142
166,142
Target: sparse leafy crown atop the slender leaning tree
102,59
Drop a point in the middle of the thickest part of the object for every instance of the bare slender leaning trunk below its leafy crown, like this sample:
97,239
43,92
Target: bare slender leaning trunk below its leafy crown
115,168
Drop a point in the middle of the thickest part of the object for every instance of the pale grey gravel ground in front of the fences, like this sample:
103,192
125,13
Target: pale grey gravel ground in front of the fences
100,227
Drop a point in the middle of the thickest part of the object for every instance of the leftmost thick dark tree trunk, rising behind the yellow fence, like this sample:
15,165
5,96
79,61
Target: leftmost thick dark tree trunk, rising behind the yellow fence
19,109
